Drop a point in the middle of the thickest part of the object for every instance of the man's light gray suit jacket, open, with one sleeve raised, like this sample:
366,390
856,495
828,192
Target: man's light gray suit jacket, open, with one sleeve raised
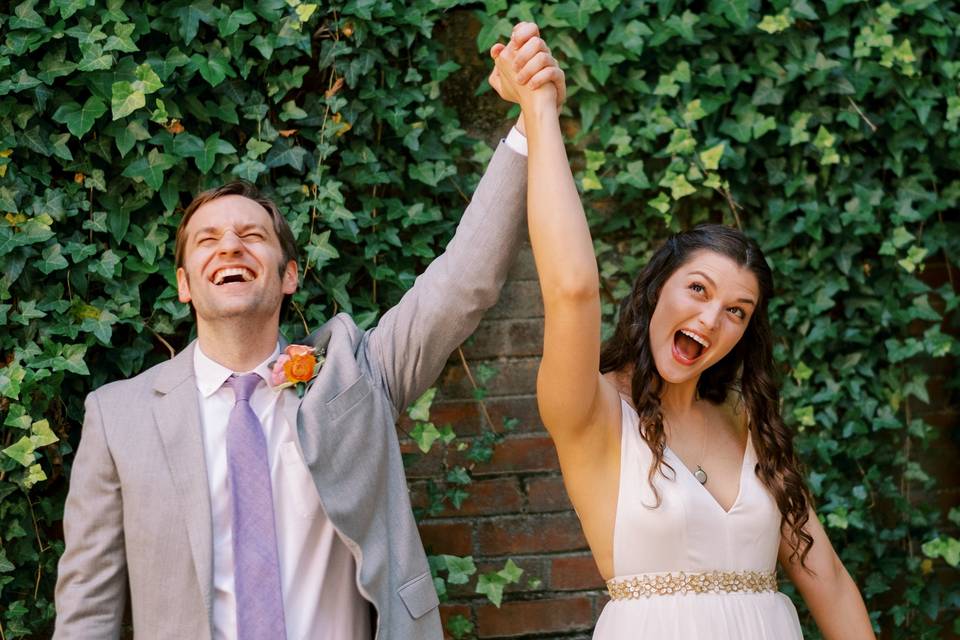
138,510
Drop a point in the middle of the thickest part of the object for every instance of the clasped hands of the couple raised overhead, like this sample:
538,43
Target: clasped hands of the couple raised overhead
525,70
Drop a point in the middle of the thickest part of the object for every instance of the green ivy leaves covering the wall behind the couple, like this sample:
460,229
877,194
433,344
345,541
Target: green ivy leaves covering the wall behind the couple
827,130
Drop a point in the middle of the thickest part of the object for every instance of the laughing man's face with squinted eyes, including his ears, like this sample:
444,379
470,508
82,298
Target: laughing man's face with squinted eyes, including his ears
231,265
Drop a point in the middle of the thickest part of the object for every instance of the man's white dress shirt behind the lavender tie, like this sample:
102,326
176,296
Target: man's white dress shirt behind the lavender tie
317,570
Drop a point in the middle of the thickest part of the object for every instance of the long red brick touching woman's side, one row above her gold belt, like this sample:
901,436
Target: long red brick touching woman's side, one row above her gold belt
530,534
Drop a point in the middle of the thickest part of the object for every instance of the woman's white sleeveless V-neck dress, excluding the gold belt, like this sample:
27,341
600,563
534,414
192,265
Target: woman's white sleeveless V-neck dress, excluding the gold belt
691,533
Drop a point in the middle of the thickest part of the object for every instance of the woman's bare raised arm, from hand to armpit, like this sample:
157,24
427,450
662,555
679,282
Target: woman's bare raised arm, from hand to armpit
570,391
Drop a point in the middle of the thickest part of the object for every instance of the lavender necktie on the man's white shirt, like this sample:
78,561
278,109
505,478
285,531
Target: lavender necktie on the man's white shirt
255,558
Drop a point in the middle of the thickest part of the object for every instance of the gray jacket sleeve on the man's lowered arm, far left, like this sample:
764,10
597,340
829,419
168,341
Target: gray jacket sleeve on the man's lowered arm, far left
91,589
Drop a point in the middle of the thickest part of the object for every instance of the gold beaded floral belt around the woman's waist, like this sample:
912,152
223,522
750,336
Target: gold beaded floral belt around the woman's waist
665,584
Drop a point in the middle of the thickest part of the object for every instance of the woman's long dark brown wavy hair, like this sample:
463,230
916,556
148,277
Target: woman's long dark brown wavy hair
747,370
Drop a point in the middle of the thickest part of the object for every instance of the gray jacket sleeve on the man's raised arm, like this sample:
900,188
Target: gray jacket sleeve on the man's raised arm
413,340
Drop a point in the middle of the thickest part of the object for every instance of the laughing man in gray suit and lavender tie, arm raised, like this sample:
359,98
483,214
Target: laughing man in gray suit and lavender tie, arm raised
233,509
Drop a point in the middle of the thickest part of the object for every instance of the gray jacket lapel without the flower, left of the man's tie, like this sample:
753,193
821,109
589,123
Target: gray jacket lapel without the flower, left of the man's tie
177,412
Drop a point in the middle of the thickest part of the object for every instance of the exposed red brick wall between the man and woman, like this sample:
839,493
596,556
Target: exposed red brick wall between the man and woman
518,507
